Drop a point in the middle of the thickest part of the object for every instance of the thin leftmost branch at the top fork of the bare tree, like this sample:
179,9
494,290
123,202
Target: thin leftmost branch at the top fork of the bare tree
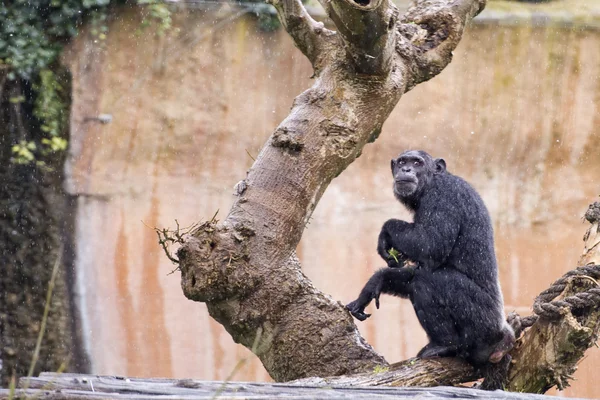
308,34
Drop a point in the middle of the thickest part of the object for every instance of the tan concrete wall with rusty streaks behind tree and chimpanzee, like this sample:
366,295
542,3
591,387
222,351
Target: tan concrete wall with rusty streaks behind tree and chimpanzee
517,113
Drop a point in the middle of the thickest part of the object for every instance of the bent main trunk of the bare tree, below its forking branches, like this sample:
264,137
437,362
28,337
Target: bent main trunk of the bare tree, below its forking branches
244,268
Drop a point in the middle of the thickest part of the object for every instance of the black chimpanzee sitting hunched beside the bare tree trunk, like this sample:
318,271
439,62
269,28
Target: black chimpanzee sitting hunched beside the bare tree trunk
454,286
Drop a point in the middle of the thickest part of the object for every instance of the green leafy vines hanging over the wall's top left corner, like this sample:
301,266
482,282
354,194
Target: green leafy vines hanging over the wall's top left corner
32,35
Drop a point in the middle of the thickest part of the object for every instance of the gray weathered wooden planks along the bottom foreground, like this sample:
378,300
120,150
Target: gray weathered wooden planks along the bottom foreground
76,386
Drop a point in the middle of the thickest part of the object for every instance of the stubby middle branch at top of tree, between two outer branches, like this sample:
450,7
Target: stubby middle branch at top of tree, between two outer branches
367,27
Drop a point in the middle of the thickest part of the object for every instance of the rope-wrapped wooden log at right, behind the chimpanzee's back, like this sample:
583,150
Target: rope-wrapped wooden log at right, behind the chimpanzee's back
549,352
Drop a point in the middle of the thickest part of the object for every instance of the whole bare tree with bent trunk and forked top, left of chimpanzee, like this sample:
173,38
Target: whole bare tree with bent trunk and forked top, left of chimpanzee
245,268
